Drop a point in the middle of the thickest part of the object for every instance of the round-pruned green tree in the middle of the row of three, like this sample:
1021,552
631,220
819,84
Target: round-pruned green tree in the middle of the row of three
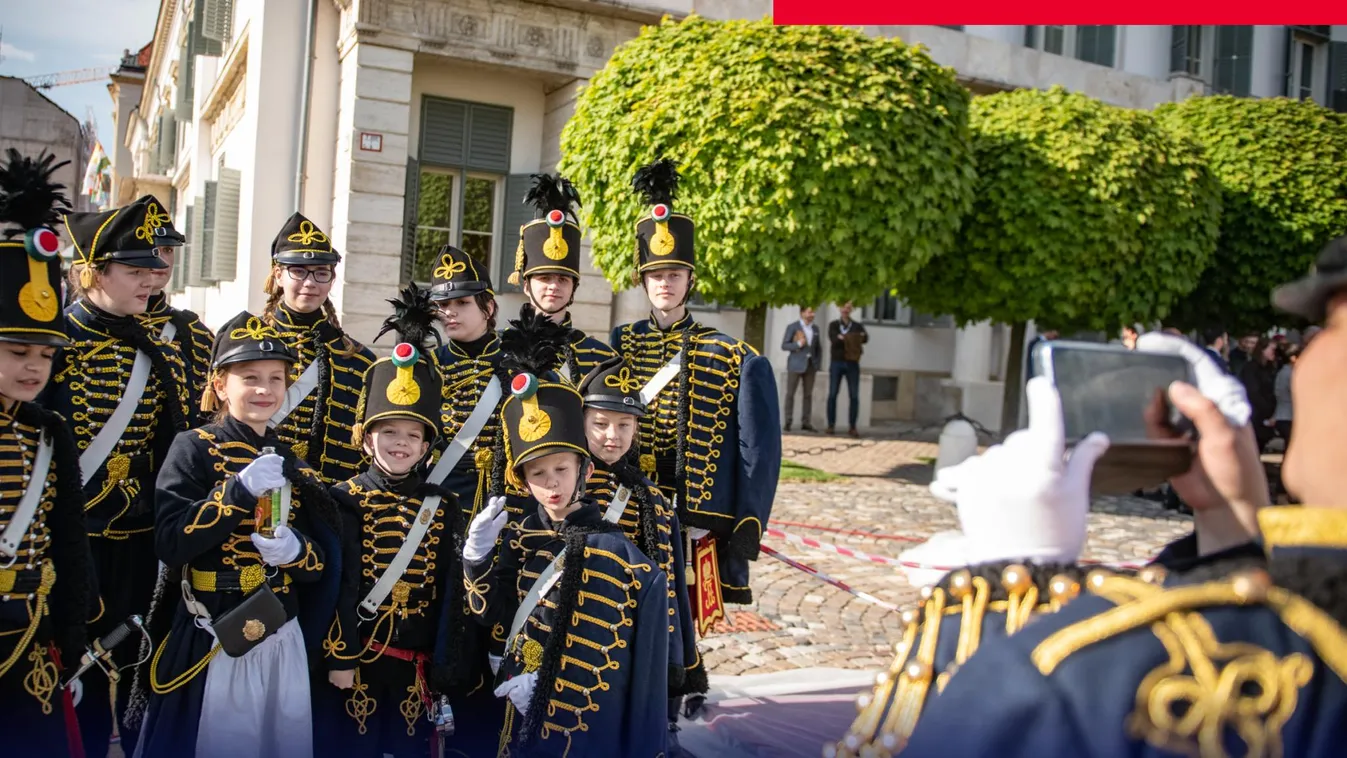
1088,217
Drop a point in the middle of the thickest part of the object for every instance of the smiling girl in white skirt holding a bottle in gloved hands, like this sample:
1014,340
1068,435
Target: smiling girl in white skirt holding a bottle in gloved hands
251,581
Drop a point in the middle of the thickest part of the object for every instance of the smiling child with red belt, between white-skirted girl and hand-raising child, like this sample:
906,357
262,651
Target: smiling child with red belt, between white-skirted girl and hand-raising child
402,563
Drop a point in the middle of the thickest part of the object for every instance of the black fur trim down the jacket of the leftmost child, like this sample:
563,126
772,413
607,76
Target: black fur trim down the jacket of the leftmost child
76,590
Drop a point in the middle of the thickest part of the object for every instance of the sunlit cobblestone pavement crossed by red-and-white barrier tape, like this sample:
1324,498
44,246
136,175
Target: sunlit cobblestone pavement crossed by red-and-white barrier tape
798,621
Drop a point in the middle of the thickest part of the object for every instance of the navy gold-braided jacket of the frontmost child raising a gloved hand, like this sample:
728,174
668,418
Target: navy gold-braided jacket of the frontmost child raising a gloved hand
599,640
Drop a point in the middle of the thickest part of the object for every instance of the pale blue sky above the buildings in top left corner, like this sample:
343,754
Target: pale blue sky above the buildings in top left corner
45,37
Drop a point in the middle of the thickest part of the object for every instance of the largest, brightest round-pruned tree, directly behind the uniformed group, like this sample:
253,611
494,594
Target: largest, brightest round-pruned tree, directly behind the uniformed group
820,164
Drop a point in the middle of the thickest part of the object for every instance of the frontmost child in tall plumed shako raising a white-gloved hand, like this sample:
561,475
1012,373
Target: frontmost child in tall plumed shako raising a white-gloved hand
585,660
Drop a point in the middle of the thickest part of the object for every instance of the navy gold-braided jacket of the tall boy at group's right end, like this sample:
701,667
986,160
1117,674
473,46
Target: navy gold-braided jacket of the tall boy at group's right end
712,438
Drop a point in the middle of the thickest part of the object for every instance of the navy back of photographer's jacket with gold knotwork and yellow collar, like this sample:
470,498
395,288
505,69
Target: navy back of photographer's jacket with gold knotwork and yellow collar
1249,664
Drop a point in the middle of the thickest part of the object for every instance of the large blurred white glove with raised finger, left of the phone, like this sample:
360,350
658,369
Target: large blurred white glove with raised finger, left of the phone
1020,500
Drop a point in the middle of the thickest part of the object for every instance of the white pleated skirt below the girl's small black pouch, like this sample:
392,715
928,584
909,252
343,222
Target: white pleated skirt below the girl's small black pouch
259,705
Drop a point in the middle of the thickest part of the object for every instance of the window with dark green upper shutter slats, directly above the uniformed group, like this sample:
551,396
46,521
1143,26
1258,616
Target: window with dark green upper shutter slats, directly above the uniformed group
460,189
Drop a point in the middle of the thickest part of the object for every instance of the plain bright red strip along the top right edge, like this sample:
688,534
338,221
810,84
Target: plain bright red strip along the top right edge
856,13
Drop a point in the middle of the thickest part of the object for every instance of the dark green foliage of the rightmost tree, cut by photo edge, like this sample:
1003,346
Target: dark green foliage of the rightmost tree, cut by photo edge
1283,172
